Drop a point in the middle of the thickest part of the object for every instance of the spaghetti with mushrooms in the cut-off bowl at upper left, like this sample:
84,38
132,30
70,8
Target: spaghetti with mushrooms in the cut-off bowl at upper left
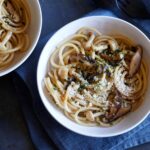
14,20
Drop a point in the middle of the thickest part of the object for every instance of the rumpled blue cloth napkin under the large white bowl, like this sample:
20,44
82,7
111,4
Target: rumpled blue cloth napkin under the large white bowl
44,130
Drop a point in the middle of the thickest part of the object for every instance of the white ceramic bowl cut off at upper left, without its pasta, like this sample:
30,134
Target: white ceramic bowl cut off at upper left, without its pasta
34,34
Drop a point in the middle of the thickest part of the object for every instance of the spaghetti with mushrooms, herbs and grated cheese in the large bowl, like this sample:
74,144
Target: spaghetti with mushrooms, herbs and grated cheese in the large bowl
89,78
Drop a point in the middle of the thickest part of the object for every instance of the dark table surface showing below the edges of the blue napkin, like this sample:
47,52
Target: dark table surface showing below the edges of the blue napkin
13,131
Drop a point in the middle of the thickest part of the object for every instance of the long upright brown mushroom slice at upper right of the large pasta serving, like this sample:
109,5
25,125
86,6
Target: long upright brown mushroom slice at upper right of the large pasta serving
135,61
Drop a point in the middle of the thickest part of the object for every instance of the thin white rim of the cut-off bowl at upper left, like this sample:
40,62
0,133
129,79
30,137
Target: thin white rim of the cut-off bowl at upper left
21,61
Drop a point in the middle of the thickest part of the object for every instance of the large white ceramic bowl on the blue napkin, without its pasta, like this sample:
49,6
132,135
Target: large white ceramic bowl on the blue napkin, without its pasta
106,25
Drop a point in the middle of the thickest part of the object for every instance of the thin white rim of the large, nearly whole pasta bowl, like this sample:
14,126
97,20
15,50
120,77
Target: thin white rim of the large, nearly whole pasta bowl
42,95
